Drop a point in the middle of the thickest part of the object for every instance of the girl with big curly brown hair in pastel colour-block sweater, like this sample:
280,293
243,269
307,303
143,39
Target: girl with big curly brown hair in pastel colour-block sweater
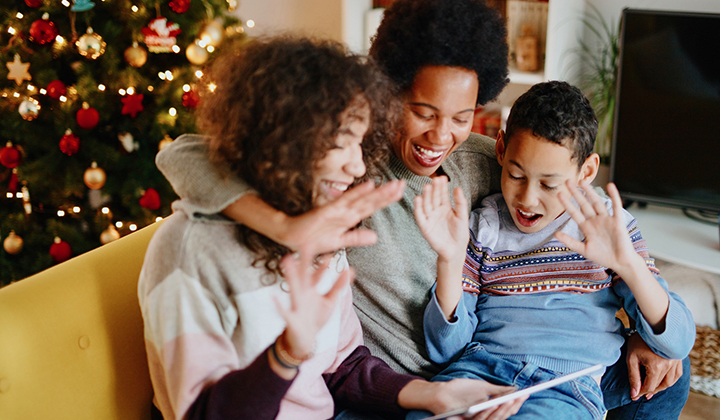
235,325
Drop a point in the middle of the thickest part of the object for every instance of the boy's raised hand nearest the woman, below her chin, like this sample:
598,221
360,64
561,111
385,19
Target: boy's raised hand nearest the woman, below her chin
445,229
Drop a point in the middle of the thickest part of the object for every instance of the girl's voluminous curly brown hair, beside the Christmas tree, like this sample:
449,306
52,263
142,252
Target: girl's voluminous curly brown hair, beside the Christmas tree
276,110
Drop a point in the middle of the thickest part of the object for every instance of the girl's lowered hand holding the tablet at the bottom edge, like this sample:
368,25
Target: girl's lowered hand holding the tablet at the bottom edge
441,397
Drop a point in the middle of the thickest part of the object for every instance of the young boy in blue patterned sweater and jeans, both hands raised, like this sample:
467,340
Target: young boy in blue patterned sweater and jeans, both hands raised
535,294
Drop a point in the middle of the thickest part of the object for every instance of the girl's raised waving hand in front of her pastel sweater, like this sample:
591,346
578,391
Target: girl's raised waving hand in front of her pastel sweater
309,310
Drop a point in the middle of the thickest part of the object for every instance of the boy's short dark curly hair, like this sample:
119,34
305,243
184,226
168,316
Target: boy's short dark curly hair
557,112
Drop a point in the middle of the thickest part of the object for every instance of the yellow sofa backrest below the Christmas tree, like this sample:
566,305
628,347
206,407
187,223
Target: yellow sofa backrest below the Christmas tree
71,338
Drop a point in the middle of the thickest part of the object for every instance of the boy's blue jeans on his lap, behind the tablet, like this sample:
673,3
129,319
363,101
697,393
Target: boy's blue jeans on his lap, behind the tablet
573,400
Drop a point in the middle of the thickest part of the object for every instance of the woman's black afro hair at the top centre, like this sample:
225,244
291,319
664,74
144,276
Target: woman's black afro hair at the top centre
456,33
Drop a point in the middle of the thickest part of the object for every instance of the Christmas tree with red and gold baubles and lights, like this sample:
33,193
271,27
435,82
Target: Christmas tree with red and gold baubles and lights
93,89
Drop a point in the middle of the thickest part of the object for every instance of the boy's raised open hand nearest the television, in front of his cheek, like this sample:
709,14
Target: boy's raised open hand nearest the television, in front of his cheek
607,241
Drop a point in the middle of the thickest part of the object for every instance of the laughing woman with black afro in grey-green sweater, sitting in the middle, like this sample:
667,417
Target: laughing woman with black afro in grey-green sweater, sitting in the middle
445,58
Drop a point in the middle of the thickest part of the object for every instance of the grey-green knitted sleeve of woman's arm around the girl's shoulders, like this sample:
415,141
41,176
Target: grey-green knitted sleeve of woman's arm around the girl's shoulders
186,165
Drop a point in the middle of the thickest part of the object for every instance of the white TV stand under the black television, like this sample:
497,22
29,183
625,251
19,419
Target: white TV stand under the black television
674,237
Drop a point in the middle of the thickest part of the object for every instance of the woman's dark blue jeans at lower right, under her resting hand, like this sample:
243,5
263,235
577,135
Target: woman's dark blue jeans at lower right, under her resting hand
664,405
